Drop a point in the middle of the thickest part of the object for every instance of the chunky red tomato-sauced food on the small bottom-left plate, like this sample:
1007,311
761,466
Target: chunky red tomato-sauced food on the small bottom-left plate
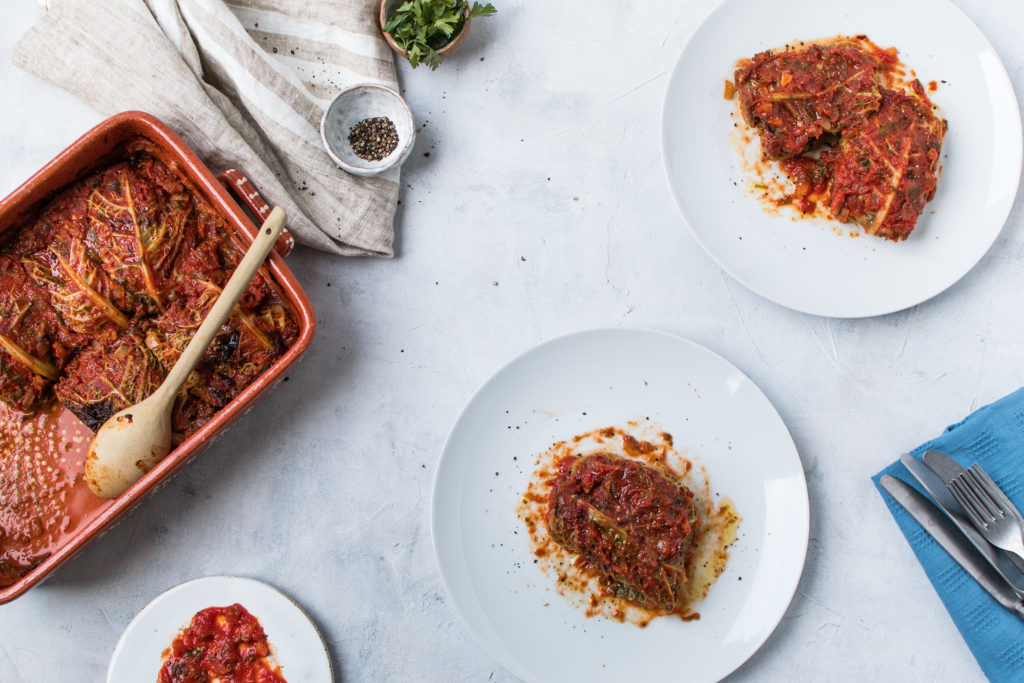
226,645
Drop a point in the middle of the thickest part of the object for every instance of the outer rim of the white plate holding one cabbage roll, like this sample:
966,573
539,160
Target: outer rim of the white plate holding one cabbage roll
790,590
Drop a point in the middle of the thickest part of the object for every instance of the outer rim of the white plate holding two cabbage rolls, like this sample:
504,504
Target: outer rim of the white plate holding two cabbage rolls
882,311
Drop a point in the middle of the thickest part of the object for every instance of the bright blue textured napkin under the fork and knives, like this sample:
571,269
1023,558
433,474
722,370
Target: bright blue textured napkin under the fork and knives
993,437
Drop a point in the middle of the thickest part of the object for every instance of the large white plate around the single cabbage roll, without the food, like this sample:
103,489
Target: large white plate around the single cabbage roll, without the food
595,379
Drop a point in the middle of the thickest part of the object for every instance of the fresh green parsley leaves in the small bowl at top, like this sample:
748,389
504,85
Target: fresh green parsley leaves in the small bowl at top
421,28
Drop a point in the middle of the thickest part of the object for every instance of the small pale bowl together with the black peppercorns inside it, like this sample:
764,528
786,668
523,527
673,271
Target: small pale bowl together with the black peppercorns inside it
368,130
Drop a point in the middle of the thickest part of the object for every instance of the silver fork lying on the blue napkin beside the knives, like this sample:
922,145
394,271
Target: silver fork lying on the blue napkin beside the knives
990,509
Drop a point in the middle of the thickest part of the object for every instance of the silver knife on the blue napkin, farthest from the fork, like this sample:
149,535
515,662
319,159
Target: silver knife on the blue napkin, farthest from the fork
947,535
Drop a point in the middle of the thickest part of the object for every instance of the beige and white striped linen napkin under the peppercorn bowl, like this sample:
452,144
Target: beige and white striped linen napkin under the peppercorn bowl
245,83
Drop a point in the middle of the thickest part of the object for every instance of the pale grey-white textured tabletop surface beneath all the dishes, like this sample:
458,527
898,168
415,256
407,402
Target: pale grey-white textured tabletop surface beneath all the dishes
544,176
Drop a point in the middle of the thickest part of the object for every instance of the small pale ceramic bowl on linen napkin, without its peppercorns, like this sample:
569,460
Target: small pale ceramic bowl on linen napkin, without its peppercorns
352,106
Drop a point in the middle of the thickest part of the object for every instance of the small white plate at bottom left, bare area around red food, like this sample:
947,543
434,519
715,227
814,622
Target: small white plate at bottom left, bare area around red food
293,637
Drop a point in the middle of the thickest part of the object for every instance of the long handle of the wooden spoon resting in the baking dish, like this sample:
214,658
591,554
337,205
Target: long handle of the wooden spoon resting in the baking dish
230,296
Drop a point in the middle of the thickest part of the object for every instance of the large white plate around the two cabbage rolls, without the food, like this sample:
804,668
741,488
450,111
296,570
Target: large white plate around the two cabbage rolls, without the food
803,265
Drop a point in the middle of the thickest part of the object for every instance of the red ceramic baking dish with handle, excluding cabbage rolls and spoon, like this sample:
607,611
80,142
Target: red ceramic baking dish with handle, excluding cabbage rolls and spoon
60,440
